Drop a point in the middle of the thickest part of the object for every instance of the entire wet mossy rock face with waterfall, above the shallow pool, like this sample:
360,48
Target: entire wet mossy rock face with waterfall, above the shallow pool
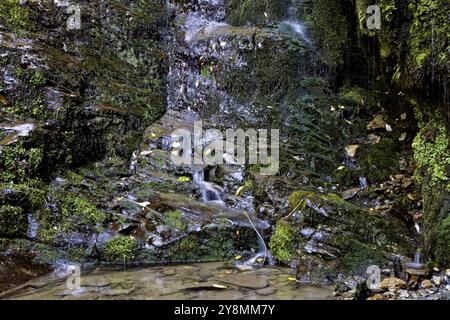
87,117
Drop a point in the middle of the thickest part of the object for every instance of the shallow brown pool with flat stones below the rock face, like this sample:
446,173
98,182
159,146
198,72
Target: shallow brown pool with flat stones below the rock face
212,281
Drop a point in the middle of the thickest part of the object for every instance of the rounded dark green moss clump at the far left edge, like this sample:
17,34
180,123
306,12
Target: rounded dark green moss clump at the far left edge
13,222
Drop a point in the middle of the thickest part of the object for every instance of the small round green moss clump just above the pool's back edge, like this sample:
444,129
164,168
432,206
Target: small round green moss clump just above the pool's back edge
120,249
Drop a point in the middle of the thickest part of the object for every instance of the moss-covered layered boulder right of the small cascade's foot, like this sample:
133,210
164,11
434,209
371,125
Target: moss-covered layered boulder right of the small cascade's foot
334,235
